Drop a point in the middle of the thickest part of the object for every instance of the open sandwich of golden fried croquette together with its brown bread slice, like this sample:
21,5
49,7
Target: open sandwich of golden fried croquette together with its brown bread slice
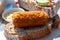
29,25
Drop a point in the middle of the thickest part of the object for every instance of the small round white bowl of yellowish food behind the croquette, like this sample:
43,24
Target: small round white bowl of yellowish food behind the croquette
7,15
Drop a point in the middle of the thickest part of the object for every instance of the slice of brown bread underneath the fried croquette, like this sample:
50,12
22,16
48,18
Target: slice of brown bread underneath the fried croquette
25,34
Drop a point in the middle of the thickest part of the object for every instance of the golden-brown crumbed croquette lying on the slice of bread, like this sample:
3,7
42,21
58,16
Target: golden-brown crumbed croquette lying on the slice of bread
29,18
